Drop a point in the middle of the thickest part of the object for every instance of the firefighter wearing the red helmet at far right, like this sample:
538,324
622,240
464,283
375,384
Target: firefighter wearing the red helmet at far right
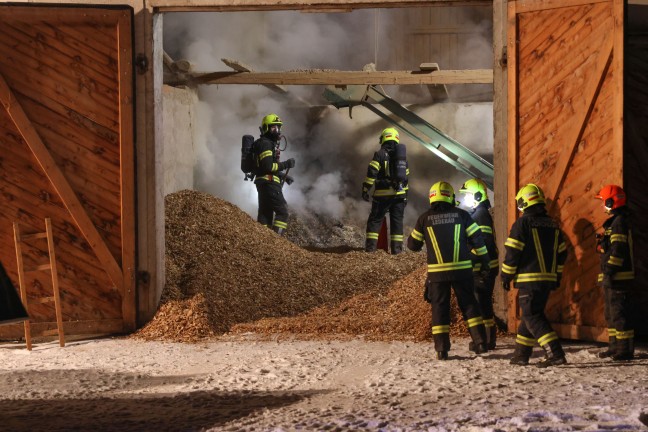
617,273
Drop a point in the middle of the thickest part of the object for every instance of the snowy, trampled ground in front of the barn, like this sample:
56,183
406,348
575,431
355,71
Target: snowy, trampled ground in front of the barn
250,385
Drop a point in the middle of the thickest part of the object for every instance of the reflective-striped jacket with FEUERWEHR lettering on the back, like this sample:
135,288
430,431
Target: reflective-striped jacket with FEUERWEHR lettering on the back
449,234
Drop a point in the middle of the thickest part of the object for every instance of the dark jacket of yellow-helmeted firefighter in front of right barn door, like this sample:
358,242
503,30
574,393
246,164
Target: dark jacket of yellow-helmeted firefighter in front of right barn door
535,251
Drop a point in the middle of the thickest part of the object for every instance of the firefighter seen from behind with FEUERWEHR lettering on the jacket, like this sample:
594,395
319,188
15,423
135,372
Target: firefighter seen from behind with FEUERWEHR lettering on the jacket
449,234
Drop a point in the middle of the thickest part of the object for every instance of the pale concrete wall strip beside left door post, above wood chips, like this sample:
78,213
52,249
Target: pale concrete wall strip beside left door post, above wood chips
178,124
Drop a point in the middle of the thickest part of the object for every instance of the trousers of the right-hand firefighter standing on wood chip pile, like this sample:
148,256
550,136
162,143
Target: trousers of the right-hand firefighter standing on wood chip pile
379,208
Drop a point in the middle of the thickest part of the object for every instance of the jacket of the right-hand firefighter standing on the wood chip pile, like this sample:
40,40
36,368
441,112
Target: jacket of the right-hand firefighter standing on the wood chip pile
379,174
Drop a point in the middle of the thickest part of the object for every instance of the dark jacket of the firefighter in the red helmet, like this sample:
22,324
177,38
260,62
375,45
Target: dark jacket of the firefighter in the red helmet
616,247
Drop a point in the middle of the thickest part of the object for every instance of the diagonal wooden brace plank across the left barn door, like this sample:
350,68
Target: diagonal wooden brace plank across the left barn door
60,183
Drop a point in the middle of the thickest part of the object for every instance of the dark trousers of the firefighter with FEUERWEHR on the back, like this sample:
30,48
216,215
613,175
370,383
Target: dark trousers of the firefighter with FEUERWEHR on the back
438,294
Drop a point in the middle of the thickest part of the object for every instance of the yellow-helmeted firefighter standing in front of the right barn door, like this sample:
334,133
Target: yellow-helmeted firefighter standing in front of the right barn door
535,255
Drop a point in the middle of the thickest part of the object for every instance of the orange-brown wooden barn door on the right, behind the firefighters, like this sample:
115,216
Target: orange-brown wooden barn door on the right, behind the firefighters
565,134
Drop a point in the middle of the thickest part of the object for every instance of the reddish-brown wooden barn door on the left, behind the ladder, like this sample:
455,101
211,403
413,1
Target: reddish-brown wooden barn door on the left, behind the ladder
66,153
